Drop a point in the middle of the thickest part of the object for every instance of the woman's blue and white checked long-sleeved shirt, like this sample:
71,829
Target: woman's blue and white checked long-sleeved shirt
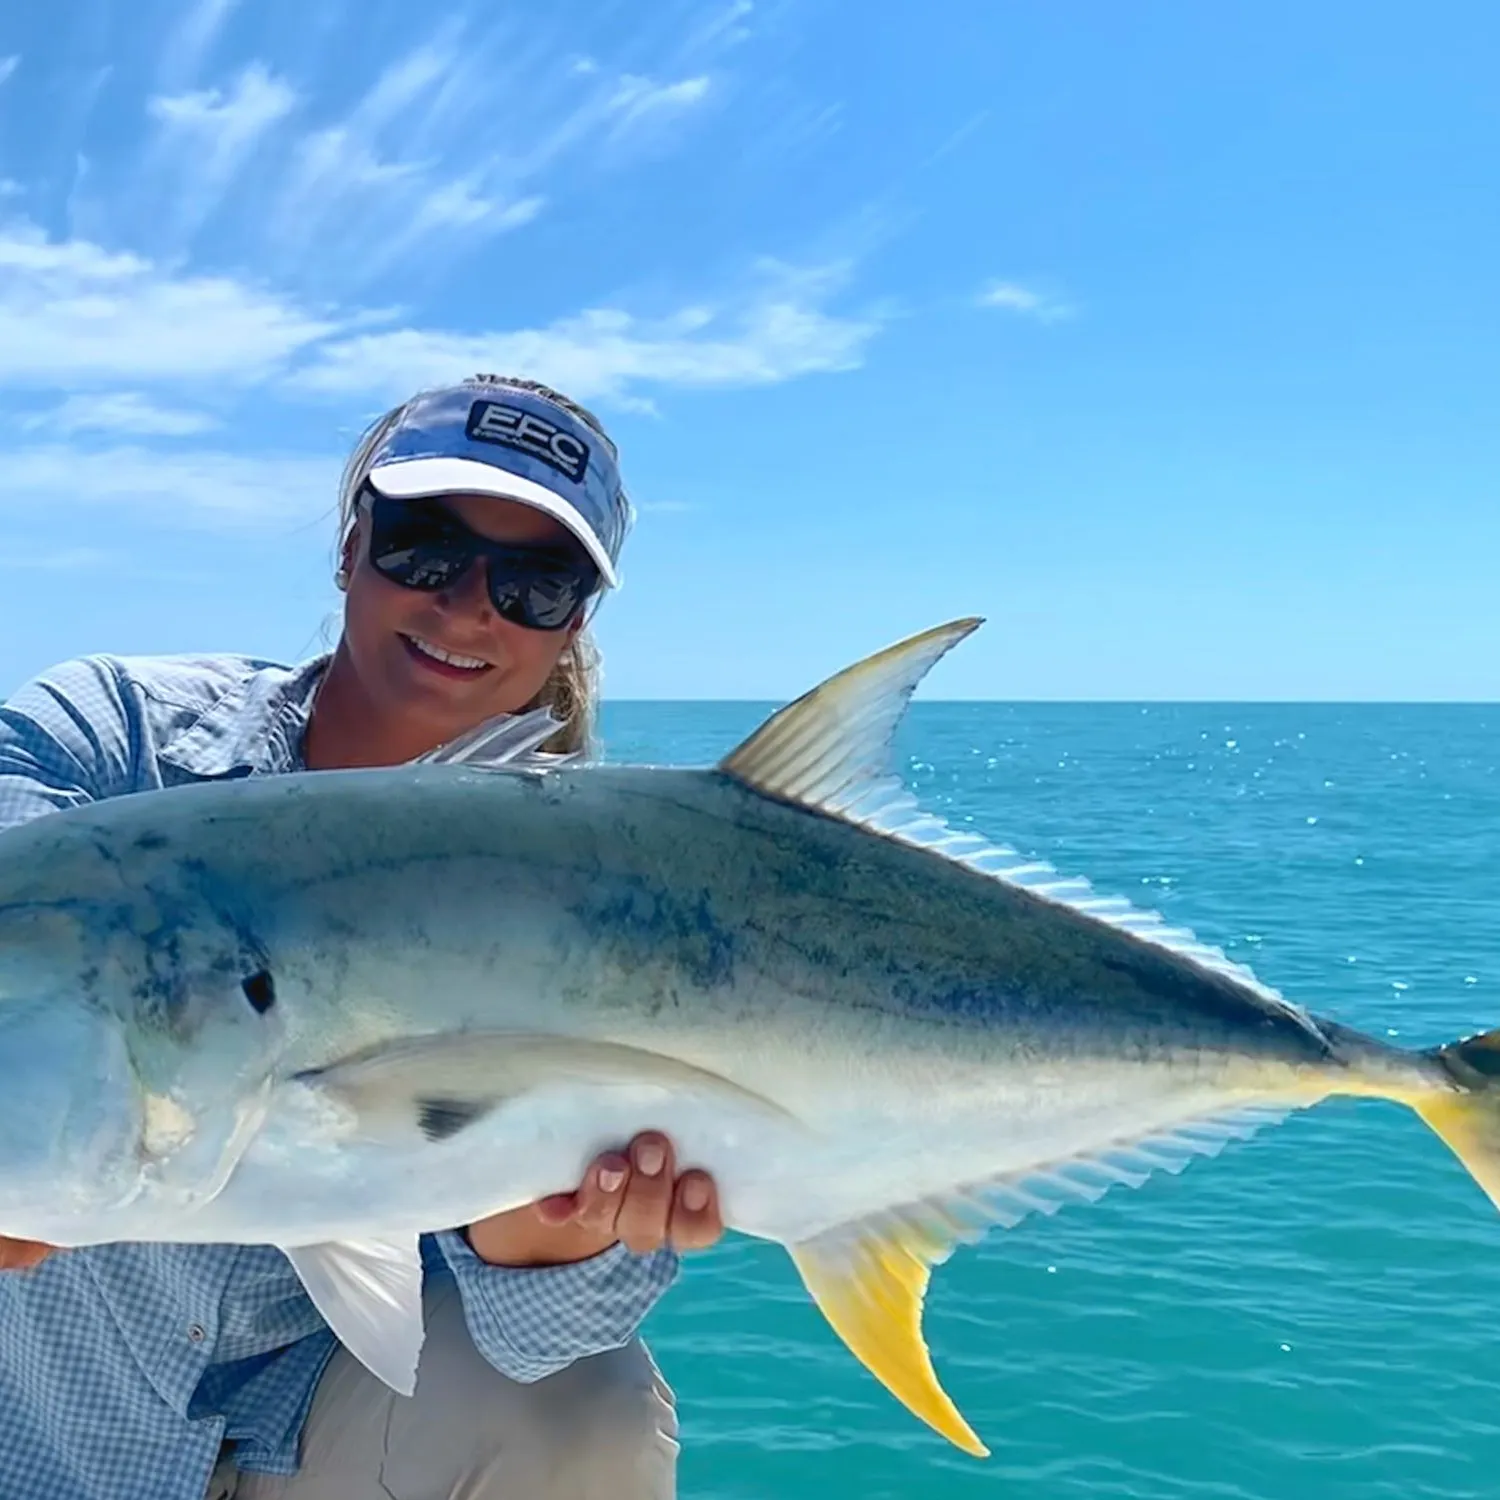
124,1369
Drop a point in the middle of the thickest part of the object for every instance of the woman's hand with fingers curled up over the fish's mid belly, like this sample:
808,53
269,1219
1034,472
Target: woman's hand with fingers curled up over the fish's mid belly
620,1199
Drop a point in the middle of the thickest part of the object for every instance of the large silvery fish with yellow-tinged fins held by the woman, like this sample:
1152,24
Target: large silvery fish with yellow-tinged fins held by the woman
332,1012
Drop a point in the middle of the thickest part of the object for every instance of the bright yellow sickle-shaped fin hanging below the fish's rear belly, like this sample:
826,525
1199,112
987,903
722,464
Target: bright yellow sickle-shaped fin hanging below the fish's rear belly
869,1282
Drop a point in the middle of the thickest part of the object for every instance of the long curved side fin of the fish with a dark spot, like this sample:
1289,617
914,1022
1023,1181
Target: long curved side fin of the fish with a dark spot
439,1087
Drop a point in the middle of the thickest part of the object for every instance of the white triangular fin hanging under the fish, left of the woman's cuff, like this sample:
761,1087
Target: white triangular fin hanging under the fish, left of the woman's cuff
370,1294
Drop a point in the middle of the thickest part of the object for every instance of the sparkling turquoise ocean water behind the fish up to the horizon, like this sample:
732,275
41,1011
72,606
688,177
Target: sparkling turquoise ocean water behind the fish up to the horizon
1316,1313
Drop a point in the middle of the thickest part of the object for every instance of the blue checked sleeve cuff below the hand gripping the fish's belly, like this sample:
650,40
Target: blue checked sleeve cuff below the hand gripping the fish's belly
536,1321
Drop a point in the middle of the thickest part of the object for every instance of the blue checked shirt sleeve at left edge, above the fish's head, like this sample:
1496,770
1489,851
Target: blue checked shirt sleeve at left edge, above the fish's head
65,740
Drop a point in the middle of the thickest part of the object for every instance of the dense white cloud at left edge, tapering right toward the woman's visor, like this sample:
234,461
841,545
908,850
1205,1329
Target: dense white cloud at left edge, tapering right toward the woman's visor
74,311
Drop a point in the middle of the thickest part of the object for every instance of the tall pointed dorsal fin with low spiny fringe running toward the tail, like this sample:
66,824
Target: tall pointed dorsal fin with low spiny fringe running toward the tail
830,752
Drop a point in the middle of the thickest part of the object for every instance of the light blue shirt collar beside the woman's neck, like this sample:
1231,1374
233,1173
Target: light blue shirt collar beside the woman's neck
256,728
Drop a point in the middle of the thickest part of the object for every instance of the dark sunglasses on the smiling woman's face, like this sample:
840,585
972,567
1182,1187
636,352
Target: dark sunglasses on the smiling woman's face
421,545
